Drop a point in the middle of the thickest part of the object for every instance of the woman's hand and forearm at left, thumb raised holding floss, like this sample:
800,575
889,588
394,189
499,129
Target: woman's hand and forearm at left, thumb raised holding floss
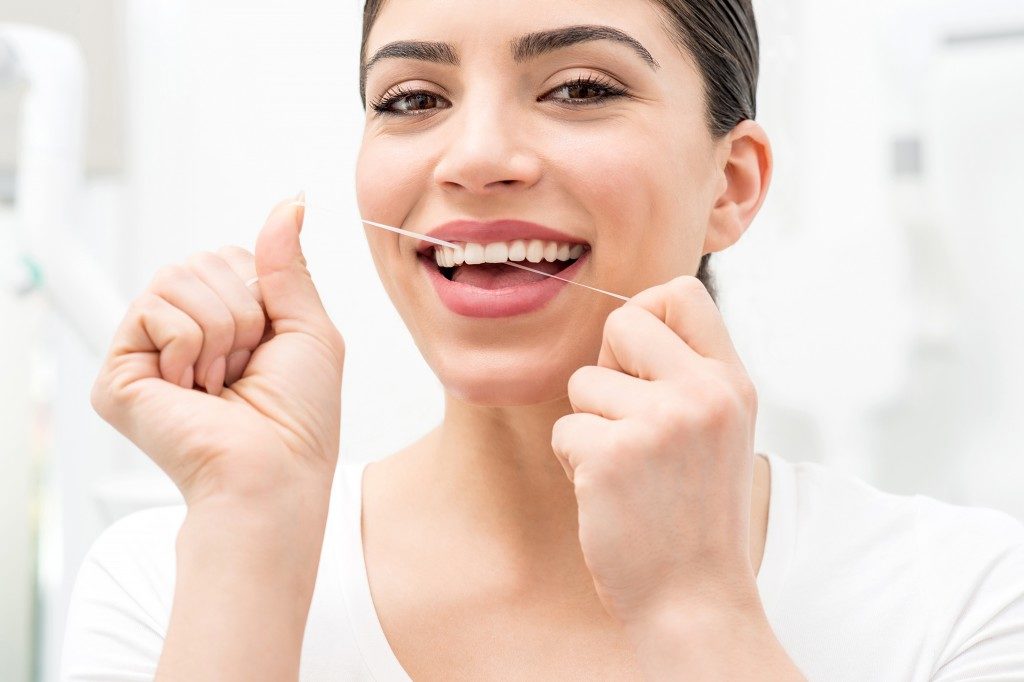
236,394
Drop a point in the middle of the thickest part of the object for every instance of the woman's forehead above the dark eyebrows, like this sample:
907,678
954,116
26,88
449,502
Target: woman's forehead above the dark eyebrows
473,26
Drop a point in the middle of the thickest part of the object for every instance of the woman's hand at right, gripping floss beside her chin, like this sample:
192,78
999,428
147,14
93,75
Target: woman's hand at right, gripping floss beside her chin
661,451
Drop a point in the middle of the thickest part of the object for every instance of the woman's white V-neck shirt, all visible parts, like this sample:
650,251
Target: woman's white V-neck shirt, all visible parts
859,585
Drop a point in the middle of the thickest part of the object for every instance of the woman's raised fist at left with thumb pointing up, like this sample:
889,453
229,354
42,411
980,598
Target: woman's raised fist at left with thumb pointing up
232,391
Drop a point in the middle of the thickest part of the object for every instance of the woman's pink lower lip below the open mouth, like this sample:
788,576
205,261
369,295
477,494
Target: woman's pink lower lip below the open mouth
476,303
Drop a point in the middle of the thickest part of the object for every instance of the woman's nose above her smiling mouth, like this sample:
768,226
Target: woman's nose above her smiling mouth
488,152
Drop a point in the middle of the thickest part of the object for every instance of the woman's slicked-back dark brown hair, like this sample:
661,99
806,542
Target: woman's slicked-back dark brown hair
722,38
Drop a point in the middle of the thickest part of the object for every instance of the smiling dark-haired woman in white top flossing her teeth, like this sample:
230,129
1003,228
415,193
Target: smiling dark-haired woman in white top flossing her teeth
591,506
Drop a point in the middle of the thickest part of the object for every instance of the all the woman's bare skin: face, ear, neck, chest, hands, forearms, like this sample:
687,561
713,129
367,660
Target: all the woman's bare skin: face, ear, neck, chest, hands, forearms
593,506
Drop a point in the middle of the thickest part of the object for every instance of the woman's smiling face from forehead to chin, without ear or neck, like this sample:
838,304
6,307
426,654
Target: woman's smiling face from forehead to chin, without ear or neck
498,126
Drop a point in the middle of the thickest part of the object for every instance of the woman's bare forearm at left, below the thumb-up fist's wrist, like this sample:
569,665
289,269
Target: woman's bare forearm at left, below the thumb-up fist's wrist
245,581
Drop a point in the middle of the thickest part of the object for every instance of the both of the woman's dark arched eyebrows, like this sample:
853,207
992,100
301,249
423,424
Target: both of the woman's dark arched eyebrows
525,48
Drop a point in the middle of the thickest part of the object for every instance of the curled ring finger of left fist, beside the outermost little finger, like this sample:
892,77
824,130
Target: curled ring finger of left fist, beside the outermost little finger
183,289
